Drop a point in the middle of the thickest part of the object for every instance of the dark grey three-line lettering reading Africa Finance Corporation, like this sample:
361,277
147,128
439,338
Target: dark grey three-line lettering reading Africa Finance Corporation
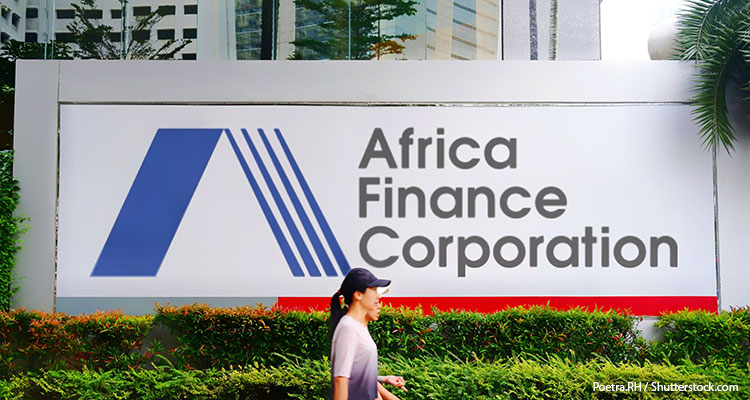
387,197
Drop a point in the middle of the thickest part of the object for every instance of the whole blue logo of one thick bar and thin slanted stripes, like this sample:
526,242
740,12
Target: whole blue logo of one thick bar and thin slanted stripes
165,184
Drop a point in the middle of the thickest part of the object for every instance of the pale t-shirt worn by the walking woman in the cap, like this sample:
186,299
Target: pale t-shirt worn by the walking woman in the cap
354,355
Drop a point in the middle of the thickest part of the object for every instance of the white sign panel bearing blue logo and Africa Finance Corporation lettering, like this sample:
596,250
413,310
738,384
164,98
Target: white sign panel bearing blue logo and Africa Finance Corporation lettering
251,201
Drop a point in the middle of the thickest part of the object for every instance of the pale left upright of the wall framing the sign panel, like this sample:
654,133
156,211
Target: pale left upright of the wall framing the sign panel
37,99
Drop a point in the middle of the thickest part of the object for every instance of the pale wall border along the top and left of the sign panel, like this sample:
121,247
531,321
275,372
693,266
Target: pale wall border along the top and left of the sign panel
43,85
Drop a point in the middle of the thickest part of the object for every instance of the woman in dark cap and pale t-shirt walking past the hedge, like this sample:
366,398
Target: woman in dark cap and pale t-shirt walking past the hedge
354,355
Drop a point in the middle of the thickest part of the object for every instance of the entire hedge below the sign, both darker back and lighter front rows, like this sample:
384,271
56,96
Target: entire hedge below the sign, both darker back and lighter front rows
257,353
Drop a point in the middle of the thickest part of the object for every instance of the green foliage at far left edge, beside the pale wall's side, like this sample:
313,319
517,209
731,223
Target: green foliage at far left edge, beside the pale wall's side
11,227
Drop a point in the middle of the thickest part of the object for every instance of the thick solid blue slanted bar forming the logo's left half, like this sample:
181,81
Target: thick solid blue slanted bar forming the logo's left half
156,202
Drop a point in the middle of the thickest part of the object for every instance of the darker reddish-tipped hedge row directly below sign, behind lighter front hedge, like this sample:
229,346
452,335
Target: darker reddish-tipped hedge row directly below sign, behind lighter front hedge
226,337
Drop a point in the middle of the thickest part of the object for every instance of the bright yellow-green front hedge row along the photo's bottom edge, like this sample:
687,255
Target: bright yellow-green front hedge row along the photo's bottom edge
426,379
